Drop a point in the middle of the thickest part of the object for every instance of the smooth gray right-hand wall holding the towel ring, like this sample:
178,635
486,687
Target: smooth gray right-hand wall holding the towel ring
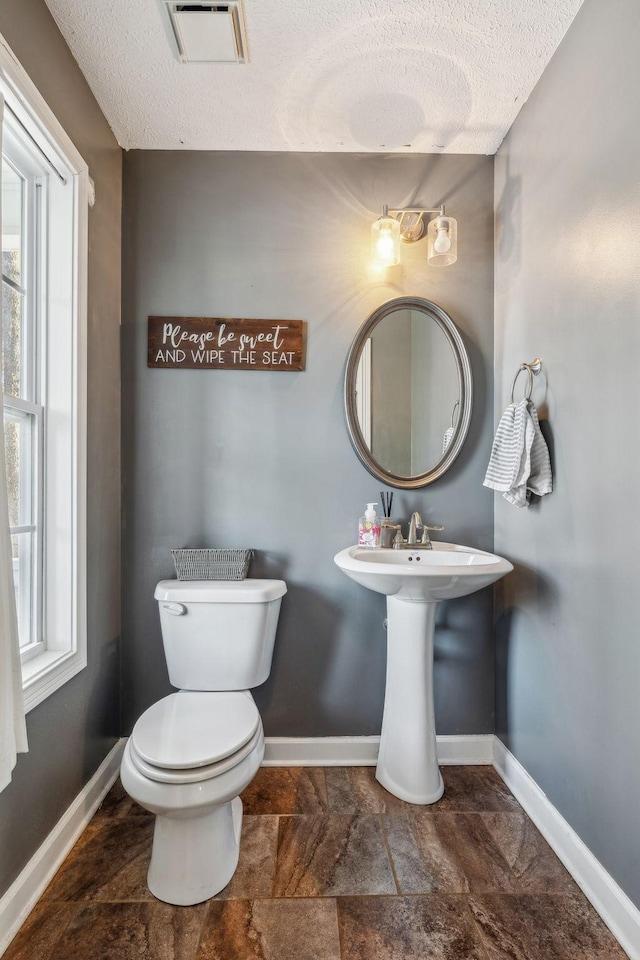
568,290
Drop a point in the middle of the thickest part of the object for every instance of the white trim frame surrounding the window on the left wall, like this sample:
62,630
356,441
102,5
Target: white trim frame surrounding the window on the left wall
65,441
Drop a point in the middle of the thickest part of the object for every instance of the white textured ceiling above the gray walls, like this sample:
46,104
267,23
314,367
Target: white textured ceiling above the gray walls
416,76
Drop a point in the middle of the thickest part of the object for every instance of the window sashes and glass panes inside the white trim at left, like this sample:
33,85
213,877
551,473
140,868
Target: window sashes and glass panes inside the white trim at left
23,204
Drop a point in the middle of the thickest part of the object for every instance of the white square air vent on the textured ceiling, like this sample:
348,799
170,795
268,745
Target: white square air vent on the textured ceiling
209,32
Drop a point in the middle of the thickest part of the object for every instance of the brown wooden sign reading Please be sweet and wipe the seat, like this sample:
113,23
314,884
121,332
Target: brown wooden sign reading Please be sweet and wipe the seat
210,343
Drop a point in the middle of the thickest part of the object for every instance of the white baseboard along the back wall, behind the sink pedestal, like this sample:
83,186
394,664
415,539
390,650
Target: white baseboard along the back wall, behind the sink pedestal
363,751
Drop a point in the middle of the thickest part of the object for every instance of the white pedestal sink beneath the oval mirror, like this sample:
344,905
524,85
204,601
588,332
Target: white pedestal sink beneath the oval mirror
413,582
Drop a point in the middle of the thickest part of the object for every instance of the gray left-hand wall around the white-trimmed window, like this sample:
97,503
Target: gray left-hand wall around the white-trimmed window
71,732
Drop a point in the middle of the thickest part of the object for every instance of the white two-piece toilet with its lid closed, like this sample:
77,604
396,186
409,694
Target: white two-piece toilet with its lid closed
191,754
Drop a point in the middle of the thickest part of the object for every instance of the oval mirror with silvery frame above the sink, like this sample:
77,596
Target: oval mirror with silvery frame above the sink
408,392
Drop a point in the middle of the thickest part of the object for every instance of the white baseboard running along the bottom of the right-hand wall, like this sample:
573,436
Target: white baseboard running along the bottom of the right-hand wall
616,909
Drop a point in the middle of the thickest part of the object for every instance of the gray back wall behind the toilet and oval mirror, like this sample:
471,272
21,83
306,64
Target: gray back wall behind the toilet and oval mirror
232,458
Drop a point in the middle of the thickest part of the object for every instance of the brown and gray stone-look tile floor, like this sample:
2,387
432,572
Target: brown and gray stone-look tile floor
332,868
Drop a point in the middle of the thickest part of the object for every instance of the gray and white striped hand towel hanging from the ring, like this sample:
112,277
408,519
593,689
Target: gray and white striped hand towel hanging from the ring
519,463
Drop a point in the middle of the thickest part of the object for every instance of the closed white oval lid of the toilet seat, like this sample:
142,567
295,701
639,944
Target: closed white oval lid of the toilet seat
193,728
